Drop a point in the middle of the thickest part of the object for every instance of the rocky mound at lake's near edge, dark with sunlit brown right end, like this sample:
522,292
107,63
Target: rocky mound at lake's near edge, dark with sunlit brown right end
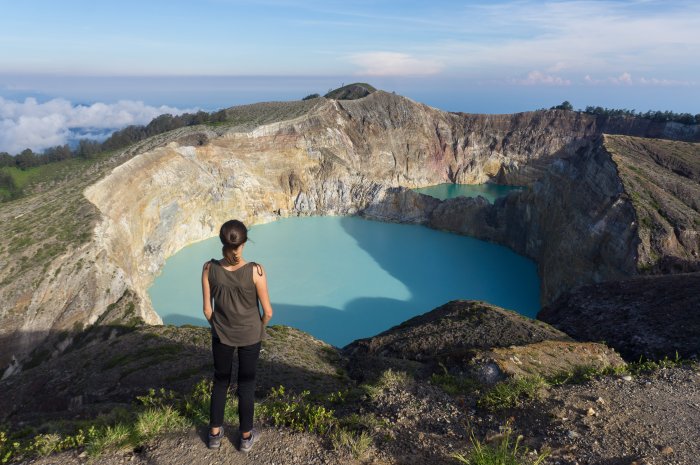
486,342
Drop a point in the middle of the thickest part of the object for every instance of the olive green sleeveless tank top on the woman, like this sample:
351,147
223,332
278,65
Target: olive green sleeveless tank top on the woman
236,320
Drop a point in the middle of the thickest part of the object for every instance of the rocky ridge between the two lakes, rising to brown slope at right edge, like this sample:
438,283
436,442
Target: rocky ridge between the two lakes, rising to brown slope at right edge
588,217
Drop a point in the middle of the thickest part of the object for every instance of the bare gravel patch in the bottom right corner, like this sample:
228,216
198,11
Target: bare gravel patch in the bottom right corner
650,419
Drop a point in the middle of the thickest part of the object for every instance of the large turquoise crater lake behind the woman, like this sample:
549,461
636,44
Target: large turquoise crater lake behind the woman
344,278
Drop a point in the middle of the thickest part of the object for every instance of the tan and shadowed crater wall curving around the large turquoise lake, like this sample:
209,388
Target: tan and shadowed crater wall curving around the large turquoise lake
344,157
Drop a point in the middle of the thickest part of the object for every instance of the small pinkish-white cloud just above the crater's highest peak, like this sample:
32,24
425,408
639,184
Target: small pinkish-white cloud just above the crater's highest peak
393,64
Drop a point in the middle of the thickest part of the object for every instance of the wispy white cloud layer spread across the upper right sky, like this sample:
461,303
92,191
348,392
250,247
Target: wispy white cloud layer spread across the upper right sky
562,41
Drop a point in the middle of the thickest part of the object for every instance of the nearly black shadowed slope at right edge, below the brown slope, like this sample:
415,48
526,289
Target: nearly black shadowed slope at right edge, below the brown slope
651,316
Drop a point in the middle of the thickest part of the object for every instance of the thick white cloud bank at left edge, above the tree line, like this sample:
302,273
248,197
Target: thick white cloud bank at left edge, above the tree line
34,125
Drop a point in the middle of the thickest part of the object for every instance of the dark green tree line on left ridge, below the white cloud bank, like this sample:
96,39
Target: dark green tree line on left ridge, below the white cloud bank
89,148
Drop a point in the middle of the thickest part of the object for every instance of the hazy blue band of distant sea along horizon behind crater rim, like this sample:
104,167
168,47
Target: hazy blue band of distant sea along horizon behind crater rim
446,93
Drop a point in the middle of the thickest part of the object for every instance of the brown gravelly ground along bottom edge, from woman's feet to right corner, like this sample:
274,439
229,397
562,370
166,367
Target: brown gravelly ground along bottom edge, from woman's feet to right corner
606,421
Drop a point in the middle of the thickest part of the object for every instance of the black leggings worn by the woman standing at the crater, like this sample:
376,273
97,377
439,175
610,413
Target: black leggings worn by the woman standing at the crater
247,362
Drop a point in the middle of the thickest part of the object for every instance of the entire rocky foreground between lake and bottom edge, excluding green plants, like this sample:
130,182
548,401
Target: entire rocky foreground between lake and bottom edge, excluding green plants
414,411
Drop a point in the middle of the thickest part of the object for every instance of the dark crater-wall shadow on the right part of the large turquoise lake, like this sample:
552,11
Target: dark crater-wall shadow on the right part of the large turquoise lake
480,270
